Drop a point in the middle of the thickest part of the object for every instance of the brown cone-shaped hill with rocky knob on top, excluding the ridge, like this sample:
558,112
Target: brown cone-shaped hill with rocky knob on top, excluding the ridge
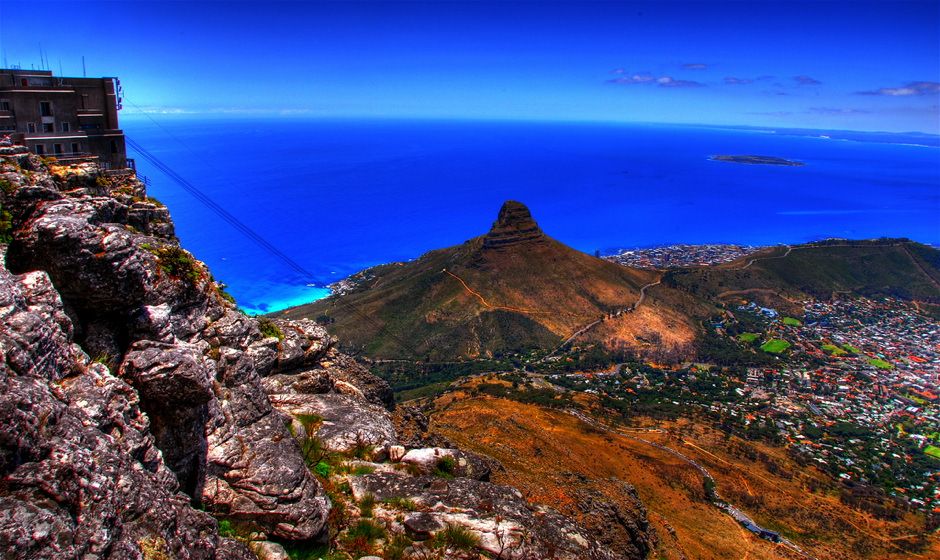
512,289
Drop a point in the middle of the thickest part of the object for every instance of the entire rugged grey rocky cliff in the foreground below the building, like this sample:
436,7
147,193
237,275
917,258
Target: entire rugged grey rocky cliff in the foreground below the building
139,406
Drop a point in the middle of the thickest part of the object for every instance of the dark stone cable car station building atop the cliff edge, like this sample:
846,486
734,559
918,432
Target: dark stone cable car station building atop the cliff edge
71,119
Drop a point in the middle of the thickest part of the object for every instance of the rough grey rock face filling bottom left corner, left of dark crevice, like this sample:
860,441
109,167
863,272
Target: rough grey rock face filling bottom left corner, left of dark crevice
82,476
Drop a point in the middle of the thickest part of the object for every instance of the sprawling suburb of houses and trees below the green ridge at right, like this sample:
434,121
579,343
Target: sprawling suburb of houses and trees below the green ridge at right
856,393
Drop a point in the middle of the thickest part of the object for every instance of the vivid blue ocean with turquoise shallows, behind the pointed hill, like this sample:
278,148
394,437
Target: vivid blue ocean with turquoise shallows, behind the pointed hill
337,196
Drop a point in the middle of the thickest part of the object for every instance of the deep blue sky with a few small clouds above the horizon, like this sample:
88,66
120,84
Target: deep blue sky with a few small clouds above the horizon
838,65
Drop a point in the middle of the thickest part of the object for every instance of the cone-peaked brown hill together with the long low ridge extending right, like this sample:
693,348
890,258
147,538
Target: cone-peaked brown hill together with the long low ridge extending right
517,290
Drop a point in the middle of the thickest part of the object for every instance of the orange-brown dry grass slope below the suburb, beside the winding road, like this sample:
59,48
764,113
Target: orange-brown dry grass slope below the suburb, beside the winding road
547,452
